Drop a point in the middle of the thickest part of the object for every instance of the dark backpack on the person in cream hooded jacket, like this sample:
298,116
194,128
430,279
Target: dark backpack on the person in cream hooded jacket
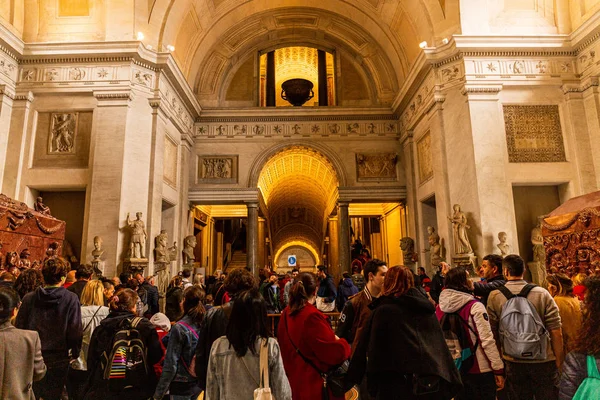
456,333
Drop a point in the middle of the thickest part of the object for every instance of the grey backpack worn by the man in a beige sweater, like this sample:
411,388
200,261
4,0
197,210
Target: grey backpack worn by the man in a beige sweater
522,331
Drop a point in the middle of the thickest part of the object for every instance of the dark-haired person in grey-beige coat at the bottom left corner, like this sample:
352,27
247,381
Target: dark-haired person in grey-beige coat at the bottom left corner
20,352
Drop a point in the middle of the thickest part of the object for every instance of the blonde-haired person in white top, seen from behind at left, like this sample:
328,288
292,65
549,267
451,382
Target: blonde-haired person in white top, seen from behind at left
92,312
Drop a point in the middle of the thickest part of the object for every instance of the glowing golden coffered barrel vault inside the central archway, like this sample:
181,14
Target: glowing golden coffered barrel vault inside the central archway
299,187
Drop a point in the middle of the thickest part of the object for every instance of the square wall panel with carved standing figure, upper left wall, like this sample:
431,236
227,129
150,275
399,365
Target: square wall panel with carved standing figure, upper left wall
62,139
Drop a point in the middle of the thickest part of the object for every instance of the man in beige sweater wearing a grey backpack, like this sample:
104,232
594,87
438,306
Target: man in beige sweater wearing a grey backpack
526,322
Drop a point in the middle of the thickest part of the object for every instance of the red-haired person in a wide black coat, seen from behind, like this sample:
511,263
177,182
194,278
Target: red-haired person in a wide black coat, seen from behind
403,327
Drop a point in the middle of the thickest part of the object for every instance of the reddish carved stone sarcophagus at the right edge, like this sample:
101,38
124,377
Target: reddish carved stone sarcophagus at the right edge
572,236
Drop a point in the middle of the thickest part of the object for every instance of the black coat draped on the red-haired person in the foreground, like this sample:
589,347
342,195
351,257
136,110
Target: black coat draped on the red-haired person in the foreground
402,338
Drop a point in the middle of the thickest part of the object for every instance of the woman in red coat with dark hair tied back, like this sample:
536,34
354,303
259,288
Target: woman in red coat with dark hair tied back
305,328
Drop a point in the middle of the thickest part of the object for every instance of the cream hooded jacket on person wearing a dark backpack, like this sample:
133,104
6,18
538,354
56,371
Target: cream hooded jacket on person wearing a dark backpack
487,357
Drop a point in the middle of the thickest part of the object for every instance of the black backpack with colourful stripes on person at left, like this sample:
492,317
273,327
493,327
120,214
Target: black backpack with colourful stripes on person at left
125,367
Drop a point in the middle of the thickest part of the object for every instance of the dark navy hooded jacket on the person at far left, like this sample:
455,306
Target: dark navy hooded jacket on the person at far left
55,314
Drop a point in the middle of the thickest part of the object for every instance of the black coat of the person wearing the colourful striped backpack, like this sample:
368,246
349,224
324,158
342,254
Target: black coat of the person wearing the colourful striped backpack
102,341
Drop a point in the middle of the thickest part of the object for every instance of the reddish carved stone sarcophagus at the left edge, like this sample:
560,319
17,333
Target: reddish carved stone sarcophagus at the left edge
27,236
